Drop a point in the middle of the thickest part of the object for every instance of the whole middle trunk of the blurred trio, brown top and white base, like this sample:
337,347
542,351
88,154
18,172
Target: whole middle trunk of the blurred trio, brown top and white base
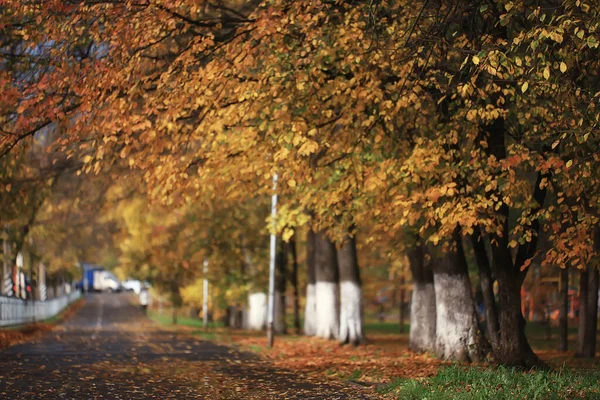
326,274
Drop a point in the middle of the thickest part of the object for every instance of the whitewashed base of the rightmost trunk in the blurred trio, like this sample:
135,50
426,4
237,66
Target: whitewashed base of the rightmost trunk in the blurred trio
350,313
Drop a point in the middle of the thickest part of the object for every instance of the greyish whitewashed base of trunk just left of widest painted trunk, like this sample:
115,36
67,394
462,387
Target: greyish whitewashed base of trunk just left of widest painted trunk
422,318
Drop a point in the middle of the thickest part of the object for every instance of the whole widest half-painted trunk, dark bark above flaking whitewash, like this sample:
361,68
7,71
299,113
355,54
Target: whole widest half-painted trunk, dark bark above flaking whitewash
457,332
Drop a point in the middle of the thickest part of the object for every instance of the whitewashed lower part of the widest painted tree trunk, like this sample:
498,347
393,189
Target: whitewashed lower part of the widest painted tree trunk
456,322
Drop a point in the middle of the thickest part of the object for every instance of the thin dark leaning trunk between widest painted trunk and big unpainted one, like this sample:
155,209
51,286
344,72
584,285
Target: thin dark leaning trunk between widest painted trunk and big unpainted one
487,287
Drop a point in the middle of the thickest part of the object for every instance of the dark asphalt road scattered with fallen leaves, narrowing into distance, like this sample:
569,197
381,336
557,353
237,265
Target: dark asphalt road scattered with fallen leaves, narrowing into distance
110,350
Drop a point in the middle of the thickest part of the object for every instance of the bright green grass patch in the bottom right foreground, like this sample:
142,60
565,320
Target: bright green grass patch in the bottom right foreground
462,383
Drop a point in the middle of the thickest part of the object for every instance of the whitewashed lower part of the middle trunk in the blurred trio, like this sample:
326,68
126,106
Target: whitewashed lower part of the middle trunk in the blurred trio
327,315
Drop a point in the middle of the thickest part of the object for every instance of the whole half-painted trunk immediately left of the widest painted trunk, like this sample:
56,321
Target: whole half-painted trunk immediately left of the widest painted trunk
422,305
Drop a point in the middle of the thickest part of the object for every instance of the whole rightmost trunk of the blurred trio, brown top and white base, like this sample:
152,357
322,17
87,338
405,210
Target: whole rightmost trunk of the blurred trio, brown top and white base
351,330
